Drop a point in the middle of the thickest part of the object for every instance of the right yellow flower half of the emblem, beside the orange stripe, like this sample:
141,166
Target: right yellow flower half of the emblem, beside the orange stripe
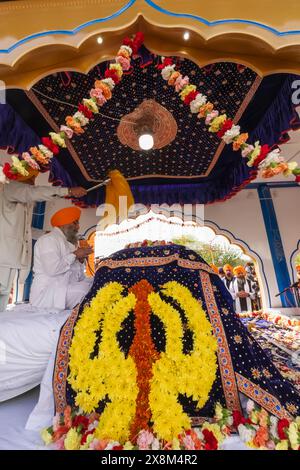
192,374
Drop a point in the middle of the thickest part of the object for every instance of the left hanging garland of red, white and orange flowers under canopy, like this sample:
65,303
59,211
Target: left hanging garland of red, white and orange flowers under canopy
40,156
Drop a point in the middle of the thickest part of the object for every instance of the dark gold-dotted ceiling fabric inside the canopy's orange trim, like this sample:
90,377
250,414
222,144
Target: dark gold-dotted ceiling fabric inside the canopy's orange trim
190,154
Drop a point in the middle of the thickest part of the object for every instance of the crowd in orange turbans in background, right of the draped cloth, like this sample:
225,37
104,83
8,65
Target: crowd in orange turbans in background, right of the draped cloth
243,285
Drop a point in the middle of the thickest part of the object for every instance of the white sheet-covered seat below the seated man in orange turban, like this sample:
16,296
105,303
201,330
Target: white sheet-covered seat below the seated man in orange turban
28,336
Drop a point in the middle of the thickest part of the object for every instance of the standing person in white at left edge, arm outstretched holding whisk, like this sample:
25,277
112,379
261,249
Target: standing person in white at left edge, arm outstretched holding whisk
17,200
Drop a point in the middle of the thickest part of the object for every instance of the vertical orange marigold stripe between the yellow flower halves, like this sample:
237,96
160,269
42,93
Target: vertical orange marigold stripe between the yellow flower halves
144,354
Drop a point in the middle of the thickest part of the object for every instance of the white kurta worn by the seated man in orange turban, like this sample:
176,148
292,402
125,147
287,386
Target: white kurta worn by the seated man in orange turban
59,281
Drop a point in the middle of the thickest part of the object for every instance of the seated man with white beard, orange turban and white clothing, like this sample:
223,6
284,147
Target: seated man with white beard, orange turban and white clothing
59,282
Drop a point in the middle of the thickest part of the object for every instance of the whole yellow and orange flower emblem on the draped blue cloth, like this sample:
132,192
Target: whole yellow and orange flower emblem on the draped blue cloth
144,387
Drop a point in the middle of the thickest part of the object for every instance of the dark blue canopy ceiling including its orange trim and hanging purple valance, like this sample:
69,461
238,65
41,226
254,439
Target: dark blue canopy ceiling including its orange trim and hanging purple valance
194,167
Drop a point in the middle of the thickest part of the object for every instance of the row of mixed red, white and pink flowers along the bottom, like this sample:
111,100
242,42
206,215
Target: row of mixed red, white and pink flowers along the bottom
259,430
